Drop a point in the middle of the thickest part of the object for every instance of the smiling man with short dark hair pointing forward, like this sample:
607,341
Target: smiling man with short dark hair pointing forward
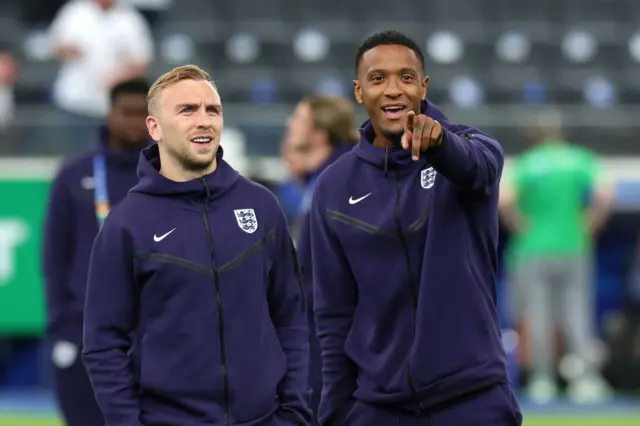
404,233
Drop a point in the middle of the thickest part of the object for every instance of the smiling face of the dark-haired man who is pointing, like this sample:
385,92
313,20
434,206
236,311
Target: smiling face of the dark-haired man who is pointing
390,83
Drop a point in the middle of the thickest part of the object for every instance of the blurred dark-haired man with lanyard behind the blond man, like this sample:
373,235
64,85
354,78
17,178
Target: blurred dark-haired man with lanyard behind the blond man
81,196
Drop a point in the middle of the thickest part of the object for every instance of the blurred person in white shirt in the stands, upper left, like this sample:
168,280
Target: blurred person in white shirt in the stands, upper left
100,43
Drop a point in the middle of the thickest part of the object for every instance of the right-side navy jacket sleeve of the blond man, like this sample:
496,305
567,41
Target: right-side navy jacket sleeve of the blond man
287,306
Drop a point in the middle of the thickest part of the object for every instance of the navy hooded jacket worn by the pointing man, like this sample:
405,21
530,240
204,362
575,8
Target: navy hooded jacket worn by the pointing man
405,264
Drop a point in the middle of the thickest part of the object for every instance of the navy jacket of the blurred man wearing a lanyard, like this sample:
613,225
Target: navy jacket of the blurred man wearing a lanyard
70,228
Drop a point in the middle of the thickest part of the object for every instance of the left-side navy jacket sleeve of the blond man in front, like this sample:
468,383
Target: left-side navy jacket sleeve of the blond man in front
111,308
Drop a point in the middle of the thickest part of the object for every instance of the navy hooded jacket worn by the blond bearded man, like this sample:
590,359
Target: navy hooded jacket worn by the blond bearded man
205,275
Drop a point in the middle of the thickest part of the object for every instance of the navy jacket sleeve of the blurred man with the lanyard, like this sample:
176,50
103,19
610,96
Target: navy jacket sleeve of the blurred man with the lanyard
57,255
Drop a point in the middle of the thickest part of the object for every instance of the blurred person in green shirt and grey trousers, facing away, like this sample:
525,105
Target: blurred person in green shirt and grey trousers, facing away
554,201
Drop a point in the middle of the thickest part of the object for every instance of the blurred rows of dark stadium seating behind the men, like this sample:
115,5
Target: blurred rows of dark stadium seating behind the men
493,63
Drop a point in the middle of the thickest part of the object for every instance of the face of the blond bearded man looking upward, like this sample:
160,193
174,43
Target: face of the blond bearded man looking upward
188,124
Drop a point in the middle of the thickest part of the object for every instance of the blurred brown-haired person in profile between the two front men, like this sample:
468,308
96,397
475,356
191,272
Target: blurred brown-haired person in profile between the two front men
321,129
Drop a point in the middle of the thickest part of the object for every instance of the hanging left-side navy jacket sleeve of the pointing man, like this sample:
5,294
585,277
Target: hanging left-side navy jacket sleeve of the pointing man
335,295
